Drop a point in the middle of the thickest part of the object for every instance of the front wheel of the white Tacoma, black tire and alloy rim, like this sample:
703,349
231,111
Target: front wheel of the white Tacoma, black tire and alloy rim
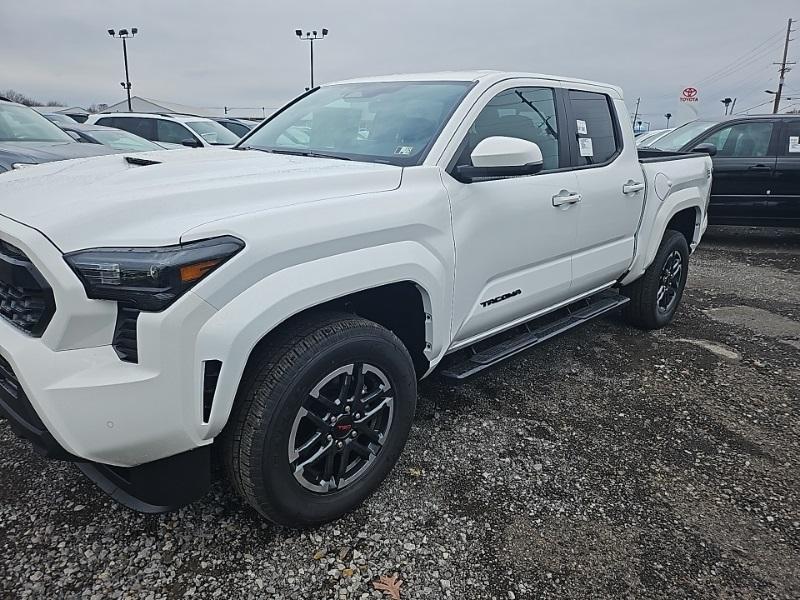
279,386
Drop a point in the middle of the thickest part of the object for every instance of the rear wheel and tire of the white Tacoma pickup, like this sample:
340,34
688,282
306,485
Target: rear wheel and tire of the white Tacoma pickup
646,308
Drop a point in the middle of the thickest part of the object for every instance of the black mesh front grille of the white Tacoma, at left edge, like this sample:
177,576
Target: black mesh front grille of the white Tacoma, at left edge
26,300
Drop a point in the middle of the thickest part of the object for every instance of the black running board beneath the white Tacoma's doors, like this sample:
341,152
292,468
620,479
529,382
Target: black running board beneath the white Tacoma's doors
573,315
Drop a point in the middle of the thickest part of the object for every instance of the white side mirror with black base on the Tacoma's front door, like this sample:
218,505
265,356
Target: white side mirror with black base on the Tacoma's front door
499,156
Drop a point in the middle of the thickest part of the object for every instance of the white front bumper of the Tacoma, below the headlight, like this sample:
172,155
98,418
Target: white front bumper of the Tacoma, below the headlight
69,392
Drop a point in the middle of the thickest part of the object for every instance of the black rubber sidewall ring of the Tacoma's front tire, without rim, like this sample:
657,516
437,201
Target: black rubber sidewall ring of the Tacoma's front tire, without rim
276,485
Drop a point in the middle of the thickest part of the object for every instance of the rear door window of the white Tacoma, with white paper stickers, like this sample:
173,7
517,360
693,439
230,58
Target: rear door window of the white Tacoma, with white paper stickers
595,128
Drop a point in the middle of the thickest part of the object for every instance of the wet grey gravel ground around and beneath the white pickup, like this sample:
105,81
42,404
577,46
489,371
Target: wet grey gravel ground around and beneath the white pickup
609,463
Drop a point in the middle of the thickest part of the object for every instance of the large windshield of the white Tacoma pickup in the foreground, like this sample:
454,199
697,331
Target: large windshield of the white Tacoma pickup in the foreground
387,122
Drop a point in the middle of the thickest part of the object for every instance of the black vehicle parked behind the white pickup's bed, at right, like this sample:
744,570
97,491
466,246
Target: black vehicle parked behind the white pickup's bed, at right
756,167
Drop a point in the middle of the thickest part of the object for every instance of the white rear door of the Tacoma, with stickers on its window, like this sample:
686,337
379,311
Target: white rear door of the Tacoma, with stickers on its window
611,185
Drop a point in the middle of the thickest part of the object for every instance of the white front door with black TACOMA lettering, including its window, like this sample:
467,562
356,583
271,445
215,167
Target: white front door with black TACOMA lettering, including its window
514,236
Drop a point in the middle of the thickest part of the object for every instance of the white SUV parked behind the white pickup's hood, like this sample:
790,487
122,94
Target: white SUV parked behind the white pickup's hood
172,131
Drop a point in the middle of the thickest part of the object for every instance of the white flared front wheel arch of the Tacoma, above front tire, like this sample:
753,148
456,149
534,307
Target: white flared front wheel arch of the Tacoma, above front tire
410,297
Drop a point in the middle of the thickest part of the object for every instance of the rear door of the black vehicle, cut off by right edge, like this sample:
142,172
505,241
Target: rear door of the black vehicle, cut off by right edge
782,205
